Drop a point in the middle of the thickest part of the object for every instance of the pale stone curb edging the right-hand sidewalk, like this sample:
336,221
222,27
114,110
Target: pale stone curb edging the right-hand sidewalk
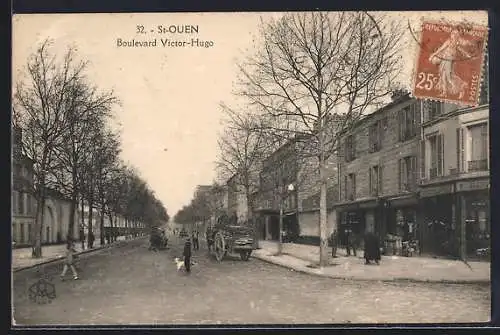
384,280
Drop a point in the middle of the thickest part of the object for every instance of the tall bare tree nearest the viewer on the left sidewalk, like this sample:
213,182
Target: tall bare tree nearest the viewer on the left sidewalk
41,101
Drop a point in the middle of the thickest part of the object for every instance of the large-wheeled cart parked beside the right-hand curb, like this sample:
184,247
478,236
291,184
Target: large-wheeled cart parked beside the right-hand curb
232,238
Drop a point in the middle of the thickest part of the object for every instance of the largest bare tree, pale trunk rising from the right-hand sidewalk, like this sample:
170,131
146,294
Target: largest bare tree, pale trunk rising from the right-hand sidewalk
315,75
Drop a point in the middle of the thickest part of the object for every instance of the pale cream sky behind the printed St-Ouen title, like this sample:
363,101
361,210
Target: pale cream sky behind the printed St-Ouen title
170,96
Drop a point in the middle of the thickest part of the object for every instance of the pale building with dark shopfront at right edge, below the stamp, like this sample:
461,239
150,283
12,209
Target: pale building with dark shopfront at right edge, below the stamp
455,180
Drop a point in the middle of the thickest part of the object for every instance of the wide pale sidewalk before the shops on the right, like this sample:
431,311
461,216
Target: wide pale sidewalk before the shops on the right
301,258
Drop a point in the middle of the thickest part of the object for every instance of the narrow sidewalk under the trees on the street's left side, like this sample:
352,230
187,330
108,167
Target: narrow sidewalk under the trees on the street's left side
21,257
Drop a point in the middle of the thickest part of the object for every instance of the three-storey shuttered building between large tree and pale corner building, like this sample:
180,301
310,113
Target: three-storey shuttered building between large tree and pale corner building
379,170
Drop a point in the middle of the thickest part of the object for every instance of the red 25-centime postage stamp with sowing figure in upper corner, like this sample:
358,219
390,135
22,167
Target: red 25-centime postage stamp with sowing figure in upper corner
449,63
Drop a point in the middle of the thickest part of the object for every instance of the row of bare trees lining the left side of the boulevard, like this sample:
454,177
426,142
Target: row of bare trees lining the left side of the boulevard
66,123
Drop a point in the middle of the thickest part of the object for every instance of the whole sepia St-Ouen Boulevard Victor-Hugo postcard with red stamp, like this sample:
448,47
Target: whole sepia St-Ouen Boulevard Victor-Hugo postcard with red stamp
250,168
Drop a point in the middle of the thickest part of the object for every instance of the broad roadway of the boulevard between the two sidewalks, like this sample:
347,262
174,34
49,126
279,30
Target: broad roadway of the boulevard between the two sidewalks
131,285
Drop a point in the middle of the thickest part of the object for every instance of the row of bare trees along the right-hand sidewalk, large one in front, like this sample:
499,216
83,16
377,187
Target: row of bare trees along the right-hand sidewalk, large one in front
312,77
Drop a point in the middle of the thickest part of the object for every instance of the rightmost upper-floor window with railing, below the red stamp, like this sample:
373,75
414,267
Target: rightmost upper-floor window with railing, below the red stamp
478,147
